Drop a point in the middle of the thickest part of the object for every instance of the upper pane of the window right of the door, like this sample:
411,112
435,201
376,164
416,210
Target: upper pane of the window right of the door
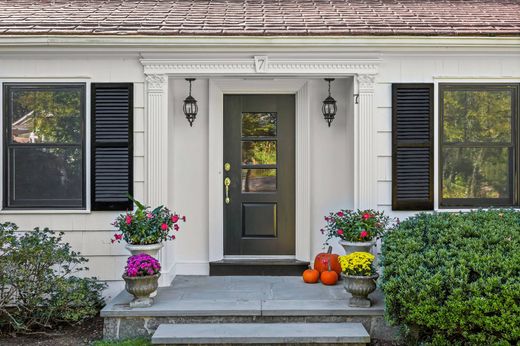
477,116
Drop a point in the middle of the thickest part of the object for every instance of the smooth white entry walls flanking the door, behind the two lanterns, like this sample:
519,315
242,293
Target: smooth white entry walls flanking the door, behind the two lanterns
331,165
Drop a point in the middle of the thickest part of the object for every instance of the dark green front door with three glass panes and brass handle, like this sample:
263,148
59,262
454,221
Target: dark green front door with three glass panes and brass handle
259,169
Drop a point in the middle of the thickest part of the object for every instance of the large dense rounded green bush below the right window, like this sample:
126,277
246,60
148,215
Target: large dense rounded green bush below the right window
454,278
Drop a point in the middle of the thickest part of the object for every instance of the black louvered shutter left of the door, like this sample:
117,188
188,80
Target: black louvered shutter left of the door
112,146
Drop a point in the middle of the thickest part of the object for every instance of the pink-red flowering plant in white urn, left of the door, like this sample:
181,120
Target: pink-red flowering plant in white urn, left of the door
145,229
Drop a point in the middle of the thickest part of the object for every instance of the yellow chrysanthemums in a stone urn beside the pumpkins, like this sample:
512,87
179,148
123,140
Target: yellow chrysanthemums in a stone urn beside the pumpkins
359,276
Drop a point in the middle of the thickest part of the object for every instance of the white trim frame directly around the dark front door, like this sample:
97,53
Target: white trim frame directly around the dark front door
217,89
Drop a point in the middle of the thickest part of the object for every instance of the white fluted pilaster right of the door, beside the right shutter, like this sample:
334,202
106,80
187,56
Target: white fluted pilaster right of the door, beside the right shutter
366,182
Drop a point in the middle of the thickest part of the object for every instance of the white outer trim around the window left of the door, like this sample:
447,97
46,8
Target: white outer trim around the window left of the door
87,81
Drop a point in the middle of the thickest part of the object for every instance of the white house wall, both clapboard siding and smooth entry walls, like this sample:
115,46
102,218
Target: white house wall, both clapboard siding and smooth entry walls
332,160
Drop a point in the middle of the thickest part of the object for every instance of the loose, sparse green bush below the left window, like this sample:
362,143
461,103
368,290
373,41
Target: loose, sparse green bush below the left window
38,288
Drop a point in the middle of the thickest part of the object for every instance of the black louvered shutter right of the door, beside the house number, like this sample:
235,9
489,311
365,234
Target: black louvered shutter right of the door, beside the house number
412,146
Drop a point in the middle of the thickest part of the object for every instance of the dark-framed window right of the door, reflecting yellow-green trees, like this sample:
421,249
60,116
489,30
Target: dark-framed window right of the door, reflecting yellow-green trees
478,145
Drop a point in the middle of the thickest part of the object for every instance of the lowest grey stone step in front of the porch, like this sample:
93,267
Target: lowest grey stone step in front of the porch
261,333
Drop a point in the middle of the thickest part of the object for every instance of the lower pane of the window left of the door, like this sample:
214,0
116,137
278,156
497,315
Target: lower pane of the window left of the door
43,176
